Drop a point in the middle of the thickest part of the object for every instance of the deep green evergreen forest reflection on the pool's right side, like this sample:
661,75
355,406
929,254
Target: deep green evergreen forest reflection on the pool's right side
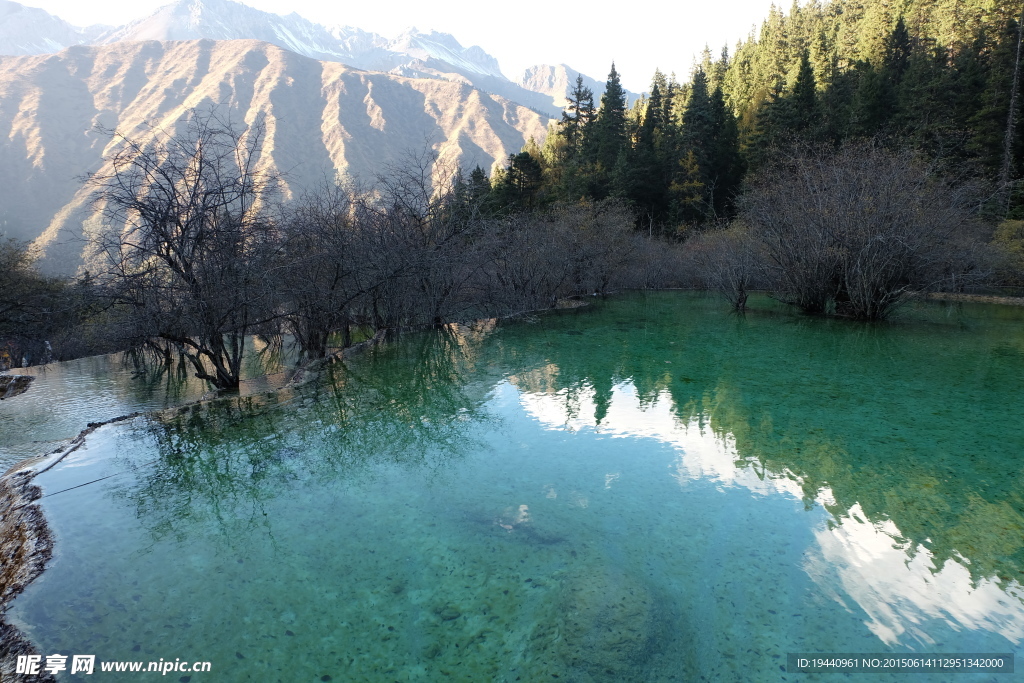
915,422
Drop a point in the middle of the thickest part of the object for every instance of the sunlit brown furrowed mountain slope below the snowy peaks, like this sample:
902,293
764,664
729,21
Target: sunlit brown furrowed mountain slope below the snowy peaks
323,118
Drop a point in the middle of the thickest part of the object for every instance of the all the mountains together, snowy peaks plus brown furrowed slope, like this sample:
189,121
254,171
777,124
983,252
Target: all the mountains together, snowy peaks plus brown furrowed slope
337,101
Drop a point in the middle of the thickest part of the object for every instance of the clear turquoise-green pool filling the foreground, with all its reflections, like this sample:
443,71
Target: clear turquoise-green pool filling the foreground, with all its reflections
651,490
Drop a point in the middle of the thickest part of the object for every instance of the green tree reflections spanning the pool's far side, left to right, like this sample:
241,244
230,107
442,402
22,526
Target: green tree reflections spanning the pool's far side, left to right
903,421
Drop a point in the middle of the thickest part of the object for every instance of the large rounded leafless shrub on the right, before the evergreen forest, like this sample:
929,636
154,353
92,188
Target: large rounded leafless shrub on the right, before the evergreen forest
854,232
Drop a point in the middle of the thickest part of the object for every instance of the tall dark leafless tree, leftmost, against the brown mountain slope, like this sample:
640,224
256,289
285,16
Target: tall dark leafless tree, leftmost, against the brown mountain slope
191,239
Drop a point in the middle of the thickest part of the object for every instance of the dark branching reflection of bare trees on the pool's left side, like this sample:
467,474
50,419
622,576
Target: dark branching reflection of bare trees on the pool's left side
406,405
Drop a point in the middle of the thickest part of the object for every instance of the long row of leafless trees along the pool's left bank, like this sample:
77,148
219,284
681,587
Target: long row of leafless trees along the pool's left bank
199,261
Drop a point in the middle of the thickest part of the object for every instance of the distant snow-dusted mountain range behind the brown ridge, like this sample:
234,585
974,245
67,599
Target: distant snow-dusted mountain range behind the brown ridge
413,55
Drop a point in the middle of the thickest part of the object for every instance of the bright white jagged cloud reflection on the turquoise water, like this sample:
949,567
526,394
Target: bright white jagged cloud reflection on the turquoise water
855,562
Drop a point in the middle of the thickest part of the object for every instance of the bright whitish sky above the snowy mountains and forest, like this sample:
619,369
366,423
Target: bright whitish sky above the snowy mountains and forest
519,34
